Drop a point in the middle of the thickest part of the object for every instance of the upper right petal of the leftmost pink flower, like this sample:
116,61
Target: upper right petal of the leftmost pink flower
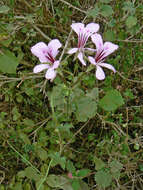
53,47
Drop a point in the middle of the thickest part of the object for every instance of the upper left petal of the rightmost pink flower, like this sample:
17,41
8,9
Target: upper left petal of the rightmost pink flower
97,40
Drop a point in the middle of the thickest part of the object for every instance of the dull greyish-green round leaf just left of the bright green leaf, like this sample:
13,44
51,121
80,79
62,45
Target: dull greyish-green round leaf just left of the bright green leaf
86,108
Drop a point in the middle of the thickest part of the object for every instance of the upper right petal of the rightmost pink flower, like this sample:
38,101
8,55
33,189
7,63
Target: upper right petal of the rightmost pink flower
109,48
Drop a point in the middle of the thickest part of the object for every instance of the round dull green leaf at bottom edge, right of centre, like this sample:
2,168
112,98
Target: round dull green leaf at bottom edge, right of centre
103,179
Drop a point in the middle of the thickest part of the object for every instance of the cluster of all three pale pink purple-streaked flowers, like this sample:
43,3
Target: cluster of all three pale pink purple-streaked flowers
48,53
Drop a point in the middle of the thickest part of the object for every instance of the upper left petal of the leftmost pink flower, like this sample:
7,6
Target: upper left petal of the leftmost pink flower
38,50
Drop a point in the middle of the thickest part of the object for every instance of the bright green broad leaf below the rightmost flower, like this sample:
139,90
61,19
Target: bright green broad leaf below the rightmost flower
111,101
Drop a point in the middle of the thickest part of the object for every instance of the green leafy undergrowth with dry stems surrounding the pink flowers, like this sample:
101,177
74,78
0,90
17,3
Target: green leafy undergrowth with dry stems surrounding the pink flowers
75,125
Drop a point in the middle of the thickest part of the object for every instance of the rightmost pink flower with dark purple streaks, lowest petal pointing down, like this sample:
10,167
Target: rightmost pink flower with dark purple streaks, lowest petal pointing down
103,50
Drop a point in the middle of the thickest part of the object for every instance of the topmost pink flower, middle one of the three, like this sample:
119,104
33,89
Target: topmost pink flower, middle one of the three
83,34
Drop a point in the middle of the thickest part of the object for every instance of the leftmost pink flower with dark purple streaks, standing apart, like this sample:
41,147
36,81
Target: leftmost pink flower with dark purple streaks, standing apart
47,54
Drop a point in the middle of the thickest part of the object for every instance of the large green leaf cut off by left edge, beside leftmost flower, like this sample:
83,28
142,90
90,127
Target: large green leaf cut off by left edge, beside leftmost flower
8,62
